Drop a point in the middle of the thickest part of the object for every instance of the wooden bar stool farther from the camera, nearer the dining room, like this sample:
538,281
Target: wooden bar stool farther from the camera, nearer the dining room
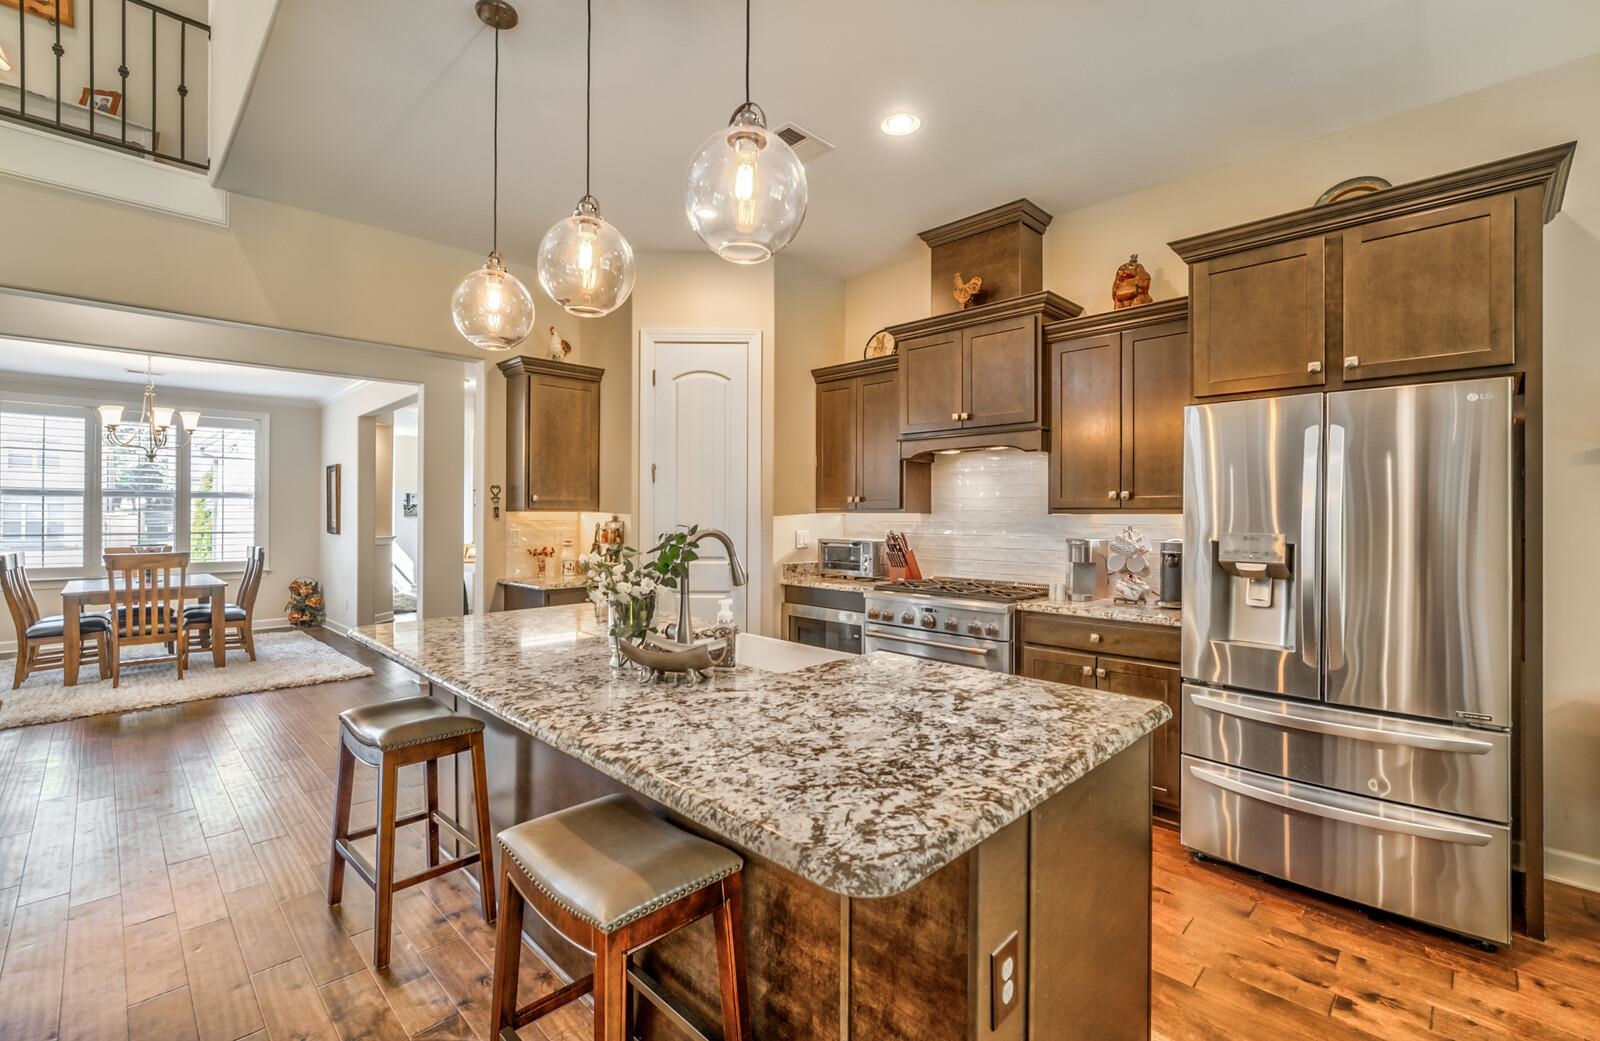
393,735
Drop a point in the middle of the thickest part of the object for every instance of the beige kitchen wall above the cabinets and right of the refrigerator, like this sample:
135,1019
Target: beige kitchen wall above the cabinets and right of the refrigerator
1082,250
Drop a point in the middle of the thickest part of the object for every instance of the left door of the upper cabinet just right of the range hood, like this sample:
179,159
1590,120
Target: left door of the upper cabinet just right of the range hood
1086,425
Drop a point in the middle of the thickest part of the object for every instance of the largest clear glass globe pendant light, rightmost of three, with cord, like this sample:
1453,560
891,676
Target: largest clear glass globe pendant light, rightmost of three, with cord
746,191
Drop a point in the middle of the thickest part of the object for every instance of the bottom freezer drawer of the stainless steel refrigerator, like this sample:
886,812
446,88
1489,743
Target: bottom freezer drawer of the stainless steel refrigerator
1444,871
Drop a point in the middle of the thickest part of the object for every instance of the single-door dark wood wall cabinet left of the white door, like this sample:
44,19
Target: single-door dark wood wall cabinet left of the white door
553,436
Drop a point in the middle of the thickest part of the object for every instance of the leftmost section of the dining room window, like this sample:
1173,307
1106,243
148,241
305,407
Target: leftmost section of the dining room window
44,468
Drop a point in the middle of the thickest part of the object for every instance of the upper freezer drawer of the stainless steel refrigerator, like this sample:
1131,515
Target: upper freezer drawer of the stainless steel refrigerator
1433,765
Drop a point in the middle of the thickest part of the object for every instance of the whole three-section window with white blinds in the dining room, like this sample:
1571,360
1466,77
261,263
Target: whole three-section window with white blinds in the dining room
66,493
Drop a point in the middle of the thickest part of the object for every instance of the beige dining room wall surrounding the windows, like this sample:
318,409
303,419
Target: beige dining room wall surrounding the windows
294,436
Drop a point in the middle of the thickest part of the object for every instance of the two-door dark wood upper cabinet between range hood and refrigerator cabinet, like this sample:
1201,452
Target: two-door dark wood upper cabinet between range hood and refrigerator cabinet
1119,386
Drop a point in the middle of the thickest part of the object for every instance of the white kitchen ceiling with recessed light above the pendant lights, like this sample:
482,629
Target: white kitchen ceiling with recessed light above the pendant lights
378,111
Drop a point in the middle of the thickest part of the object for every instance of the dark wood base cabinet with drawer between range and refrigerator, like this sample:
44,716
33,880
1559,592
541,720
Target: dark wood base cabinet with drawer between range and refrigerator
1121,658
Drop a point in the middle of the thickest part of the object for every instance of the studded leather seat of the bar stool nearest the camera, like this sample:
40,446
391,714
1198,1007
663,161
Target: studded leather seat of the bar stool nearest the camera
610,863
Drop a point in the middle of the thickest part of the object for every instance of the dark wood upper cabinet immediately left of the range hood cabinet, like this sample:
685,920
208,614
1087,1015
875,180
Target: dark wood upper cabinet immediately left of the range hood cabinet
858,460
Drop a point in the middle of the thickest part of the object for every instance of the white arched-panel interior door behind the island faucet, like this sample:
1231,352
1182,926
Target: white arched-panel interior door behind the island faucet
698,452
